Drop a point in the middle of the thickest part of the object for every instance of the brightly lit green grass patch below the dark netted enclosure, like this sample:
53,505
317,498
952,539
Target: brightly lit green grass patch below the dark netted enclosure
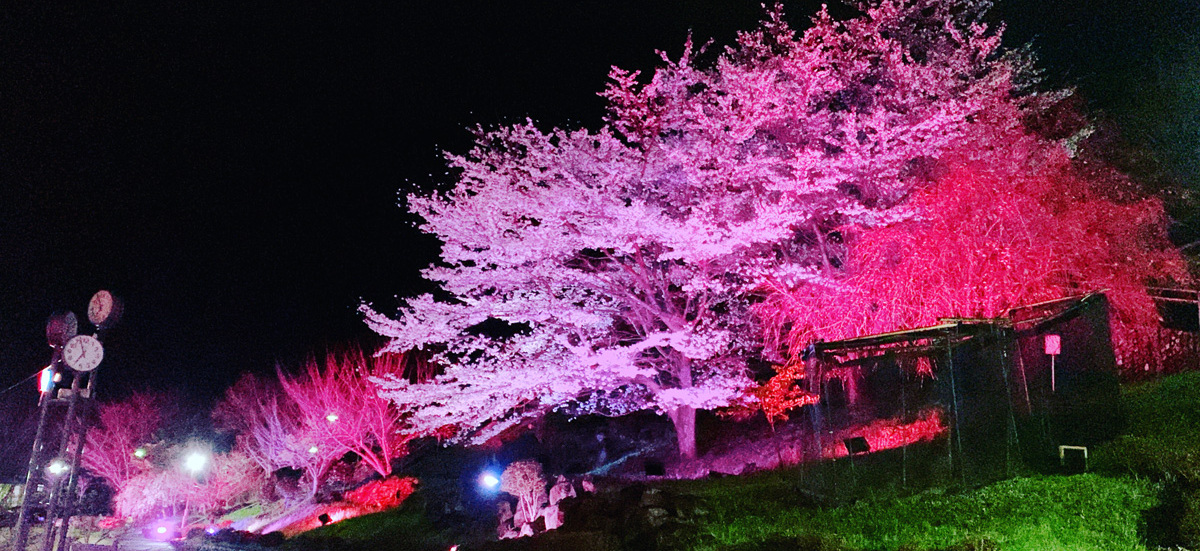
1087,512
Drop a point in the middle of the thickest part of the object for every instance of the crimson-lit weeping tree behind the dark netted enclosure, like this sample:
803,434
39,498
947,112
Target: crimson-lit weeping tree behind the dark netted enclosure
1010,220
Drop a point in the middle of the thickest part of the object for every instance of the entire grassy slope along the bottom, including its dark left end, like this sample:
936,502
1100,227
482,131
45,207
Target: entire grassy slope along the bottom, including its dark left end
1142,493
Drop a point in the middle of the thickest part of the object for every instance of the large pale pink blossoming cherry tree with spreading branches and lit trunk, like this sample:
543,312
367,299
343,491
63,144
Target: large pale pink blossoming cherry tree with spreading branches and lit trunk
616,269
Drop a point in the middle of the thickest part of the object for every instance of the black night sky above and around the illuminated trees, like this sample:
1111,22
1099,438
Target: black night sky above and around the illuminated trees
235,173
